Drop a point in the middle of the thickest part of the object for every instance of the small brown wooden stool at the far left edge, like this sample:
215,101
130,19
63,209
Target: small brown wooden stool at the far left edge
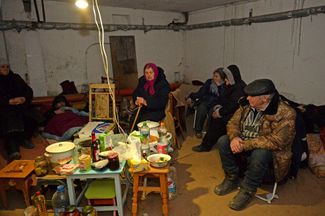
17,173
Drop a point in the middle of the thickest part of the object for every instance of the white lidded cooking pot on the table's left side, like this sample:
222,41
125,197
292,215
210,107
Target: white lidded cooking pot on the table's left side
60,153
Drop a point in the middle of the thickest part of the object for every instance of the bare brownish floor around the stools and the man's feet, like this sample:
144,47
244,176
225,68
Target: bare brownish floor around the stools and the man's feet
197,175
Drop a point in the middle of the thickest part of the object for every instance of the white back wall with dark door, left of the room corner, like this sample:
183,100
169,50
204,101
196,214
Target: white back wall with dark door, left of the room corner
74,55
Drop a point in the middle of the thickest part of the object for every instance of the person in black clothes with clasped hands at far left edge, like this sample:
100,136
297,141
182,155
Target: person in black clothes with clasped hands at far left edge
19,119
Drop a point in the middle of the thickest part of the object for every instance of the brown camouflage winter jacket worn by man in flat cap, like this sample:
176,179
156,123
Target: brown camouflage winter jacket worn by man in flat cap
276,133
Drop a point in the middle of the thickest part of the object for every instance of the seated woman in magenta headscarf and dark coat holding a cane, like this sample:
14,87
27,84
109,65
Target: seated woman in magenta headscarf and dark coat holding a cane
151,94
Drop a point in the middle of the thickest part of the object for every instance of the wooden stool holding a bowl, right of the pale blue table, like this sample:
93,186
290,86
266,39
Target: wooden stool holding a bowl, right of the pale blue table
160,173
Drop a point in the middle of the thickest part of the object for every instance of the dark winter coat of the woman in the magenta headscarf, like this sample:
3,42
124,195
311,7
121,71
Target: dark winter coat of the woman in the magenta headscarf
156,103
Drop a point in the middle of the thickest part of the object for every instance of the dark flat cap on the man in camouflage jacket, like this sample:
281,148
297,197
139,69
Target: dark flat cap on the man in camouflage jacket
260,87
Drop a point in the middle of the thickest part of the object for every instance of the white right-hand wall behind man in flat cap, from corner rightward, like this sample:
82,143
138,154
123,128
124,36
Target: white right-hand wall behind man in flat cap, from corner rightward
289,53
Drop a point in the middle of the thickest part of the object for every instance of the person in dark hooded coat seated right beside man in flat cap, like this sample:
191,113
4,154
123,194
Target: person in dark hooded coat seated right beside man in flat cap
225,108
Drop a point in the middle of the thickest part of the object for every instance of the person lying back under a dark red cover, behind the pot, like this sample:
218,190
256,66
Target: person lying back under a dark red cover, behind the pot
63,121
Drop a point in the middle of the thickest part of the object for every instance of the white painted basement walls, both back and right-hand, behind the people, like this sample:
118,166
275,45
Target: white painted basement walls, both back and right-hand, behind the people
287,52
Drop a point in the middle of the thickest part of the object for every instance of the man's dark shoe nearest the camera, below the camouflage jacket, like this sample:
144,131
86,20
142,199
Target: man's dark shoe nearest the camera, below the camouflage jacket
241,200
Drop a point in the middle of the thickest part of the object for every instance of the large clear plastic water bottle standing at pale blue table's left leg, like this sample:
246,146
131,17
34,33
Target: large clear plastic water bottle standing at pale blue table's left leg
59,200
